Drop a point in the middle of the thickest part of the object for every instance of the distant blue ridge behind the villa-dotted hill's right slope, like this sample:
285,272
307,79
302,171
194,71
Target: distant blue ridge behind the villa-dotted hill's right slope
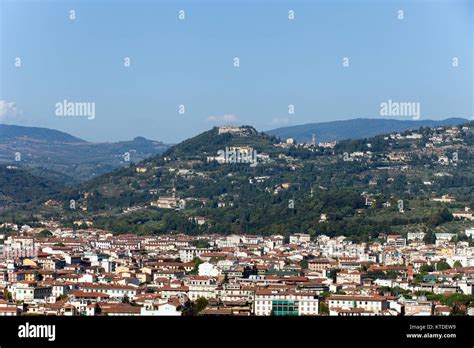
359,128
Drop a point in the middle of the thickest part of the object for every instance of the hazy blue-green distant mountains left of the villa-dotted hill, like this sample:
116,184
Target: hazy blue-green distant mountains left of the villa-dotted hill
65,158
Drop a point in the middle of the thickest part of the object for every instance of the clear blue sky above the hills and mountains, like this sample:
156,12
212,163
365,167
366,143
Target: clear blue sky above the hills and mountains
190,62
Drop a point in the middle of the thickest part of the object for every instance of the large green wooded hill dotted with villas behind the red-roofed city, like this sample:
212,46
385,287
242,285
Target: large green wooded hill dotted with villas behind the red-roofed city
352,188
